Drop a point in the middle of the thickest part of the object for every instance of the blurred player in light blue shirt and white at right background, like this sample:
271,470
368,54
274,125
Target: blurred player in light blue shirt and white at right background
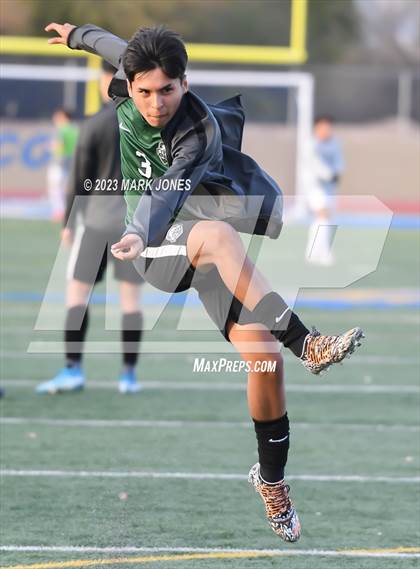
324,168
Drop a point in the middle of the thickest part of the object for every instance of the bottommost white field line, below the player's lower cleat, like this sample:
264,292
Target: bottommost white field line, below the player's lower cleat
380,552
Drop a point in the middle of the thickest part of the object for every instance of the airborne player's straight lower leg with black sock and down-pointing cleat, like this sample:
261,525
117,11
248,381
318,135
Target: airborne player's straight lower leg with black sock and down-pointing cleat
267,406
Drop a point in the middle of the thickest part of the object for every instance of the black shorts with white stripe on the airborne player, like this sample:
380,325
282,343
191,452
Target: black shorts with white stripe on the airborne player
166,266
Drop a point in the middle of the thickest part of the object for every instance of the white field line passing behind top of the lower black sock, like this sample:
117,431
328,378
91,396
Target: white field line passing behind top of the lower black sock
113,423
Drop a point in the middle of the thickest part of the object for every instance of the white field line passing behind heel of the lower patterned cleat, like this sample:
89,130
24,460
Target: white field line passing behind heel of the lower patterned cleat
202,476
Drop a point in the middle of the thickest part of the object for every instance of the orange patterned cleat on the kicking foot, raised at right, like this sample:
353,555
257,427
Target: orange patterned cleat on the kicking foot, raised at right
320,352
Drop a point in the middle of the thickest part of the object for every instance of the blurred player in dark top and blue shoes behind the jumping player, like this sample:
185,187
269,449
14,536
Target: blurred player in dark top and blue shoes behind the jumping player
97,157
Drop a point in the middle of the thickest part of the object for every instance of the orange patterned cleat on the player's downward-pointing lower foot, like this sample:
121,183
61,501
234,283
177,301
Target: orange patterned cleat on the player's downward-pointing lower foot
280,510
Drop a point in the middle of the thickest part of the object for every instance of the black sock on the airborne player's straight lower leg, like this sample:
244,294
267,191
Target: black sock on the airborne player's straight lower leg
273,447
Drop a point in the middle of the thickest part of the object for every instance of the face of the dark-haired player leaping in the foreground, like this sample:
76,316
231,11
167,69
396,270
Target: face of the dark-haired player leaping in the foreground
156,96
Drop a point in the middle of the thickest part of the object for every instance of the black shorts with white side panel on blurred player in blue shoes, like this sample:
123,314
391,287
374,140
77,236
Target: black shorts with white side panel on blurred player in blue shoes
90,254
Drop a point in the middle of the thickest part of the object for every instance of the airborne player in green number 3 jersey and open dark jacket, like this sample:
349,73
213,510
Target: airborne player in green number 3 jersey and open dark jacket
189,237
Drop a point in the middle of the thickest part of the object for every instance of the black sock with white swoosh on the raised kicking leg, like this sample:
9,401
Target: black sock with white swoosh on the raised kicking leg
285,325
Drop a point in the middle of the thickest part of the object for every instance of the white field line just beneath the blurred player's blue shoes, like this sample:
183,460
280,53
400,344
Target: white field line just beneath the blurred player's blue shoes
236,386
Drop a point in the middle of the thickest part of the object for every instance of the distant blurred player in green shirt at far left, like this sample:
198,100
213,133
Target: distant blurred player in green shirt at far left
63,147
